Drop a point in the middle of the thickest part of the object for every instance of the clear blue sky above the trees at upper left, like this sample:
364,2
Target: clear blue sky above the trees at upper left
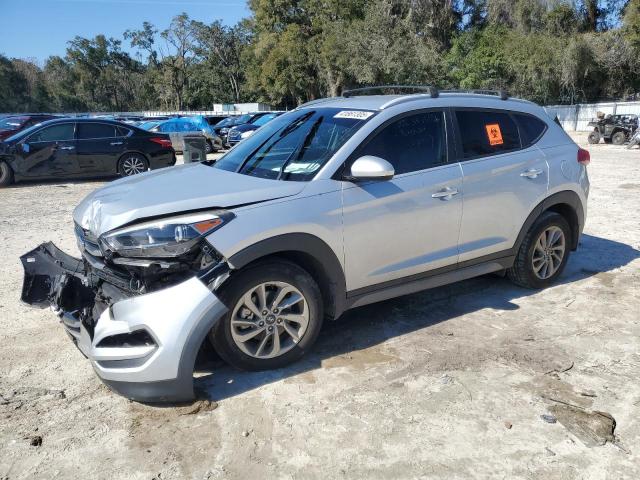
37,29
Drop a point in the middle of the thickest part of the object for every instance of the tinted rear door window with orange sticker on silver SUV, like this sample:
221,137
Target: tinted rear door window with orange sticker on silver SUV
486,132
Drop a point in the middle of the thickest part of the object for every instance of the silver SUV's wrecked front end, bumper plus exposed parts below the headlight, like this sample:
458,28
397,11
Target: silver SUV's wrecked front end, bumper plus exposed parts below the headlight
139,320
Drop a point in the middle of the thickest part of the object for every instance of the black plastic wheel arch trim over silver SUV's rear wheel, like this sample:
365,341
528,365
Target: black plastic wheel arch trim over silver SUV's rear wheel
566,203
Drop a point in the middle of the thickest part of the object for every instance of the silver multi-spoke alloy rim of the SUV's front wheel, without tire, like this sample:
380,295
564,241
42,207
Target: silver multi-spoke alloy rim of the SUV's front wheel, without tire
269,320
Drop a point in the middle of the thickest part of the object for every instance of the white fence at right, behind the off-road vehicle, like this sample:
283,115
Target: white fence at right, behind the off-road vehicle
575,118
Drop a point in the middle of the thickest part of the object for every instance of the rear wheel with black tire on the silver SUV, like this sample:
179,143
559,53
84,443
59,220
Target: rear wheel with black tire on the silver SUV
543,254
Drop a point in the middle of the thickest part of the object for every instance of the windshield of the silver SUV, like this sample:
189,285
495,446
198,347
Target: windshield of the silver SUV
294,146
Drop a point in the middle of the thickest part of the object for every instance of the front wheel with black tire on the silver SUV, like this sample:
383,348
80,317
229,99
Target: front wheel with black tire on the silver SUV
275,315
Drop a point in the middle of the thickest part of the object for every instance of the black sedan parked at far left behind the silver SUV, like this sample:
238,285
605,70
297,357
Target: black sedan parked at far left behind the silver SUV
84,147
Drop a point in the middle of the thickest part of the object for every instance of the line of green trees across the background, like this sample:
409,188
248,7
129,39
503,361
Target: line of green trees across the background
291,51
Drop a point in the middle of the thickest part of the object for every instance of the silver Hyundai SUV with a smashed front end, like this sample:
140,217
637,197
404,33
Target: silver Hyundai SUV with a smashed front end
340,203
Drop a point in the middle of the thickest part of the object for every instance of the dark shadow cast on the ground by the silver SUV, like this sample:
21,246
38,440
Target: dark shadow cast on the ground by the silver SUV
372,325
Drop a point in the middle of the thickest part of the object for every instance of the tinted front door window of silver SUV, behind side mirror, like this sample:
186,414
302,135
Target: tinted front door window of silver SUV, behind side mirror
412,143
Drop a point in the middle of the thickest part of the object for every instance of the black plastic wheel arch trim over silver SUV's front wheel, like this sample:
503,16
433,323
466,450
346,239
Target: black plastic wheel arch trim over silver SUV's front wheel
308,252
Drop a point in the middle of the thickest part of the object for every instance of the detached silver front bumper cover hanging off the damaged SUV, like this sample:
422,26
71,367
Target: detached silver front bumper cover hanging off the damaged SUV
142,346
